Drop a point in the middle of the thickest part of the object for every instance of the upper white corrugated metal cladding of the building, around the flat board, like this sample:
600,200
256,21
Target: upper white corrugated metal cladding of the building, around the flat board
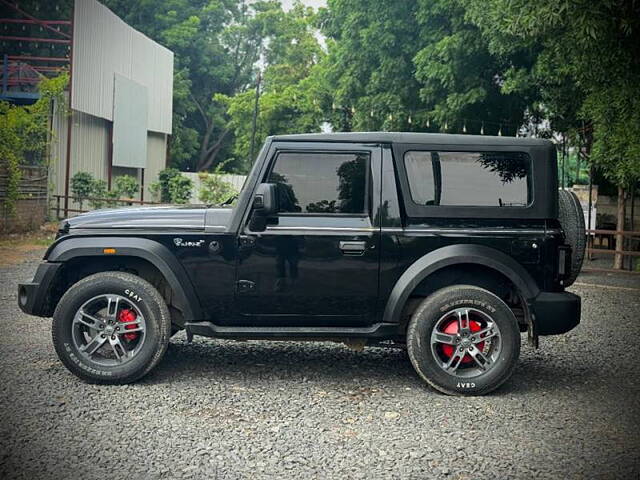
104,45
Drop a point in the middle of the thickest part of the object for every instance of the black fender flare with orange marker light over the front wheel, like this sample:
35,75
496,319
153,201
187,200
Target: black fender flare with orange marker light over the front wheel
155,253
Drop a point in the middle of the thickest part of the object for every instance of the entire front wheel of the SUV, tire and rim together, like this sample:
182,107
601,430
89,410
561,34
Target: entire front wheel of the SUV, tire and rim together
111,327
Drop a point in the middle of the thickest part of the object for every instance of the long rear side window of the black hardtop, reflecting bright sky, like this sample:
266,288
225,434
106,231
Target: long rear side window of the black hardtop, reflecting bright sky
493,179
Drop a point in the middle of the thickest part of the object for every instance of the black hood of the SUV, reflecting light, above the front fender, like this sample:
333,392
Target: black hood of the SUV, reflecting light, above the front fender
190,217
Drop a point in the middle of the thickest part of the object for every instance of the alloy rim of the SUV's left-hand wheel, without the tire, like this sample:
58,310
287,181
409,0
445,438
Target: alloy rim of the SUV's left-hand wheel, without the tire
99,334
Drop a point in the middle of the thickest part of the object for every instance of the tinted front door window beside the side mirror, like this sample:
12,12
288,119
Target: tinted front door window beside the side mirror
321,182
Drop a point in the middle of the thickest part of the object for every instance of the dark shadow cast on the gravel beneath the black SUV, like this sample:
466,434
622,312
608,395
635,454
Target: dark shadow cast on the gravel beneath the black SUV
248,362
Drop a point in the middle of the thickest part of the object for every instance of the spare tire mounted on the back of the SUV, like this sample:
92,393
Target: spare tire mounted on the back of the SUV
571,219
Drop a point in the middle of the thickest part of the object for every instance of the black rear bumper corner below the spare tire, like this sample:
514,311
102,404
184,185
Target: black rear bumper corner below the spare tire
555,313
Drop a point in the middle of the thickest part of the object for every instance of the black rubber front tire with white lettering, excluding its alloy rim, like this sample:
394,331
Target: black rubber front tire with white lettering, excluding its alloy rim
153,344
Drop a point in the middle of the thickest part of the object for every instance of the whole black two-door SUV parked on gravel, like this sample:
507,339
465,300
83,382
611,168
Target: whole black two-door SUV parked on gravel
449,244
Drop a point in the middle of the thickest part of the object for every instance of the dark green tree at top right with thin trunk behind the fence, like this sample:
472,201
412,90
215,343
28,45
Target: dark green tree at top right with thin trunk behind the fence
587,67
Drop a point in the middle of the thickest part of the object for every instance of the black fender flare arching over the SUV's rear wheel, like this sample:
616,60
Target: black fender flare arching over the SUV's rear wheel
453,255
